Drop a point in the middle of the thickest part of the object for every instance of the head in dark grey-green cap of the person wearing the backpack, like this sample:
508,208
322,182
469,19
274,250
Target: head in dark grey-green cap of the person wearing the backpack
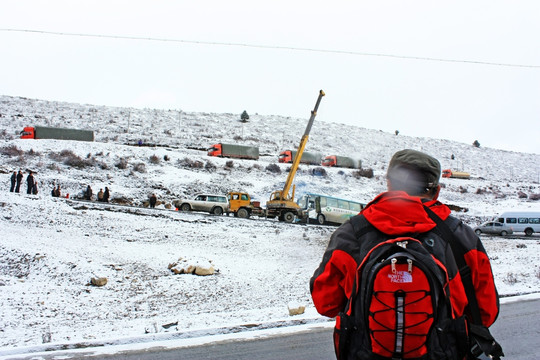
413,171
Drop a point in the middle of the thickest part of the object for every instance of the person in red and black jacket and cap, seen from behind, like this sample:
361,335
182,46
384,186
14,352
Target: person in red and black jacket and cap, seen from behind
405,279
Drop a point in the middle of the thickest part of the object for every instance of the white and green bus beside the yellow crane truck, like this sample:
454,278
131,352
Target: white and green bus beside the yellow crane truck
324,209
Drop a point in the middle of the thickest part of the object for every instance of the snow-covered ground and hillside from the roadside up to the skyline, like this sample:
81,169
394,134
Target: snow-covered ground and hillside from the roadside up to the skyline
51,248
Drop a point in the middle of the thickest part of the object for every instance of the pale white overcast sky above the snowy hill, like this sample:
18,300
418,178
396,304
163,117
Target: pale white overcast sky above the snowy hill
461,70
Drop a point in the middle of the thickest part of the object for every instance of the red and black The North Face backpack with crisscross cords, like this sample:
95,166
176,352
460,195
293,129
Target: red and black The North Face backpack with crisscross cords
400,306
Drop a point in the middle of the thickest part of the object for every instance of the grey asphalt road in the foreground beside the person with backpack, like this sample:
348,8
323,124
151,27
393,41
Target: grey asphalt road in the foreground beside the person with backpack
517,329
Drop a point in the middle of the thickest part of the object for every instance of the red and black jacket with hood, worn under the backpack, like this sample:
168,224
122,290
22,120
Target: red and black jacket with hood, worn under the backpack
394,214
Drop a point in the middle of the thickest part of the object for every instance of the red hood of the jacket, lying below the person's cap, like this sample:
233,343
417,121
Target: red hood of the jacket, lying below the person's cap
397,213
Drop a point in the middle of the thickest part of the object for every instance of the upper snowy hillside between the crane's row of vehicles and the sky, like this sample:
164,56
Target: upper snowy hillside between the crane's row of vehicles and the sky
184,137
